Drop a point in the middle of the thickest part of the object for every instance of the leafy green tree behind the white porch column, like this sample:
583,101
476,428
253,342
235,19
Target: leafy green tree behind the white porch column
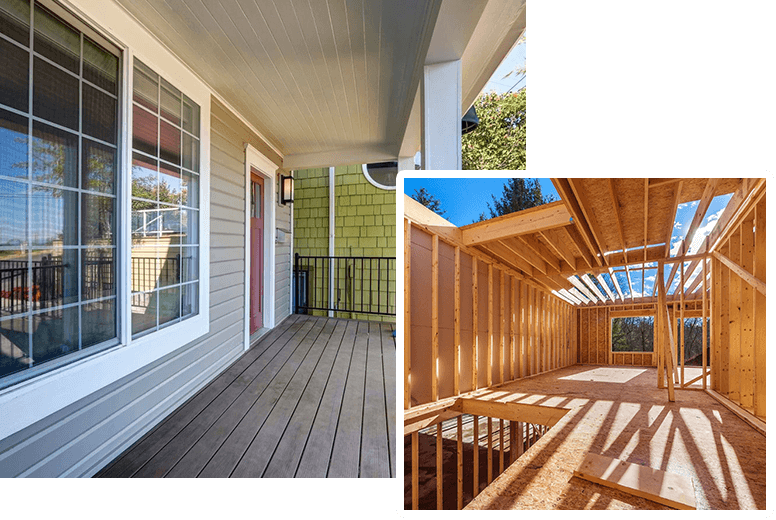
498,143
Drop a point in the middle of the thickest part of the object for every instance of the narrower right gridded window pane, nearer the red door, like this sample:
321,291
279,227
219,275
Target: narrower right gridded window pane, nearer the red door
165,203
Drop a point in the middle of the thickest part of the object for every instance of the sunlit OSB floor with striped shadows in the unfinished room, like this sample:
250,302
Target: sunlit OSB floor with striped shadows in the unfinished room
619,412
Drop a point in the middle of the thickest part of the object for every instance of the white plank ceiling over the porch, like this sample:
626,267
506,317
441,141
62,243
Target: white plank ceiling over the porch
330,82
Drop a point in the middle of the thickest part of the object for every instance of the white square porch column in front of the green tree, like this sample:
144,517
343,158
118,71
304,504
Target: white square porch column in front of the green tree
440,120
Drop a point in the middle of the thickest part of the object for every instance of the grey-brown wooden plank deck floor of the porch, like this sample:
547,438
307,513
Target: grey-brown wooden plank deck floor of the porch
314,398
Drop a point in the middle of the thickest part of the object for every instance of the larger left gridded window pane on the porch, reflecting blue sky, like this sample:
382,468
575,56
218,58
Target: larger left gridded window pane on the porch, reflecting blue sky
58,200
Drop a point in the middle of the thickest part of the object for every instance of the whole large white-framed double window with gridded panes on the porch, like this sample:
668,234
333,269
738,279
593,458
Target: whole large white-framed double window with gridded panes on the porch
102,214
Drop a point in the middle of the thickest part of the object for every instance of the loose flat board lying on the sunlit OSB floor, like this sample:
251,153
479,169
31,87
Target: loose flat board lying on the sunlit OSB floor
664,487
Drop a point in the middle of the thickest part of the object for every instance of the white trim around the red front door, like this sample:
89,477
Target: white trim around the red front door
266,168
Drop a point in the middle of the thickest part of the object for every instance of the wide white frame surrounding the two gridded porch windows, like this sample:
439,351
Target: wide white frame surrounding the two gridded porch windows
26,400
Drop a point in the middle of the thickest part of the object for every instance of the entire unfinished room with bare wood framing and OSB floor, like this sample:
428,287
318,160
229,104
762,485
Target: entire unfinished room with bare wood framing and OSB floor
608,350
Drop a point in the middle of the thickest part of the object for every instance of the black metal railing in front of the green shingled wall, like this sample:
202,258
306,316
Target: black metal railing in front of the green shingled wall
352,284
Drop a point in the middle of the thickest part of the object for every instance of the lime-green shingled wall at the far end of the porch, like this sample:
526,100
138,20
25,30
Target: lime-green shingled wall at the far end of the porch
365,221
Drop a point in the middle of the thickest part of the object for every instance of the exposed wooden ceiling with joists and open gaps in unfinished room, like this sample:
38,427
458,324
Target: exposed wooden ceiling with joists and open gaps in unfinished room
604,238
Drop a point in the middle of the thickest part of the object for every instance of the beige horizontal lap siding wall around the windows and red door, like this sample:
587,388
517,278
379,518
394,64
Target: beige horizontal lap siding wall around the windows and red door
84,436
